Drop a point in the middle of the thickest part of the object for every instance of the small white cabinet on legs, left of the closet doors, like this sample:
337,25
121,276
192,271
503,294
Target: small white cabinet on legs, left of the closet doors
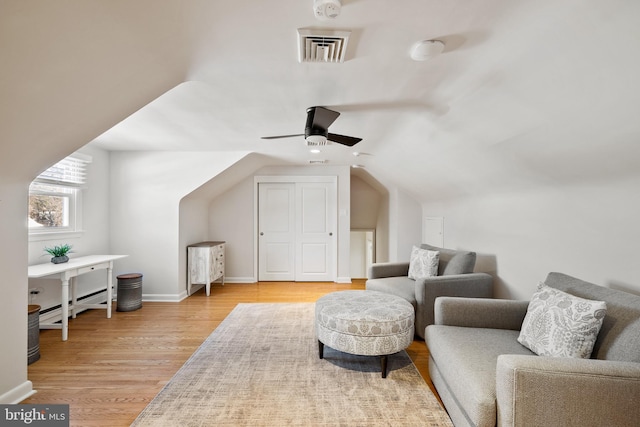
205,264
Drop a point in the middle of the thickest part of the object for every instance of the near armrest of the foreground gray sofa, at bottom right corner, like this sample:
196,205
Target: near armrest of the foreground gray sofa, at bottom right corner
546,391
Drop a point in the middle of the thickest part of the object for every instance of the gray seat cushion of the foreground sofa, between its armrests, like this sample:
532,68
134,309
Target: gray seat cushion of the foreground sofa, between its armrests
466,359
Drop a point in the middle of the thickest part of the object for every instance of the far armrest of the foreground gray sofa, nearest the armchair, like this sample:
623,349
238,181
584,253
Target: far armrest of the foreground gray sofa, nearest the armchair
480,312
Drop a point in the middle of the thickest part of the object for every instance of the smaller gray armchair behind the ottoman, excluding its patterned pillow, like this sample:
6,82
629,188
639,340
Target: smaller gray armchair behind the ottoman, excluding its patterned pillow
455,278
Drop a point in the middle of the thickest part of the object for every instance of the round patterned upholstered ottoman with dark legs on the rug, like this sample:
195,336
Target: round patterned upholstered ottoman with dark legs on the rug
366,323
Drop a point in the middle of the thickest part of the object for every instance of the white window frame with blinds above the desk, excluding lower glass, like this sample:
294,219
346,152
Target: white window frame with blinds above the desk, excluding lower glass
64,179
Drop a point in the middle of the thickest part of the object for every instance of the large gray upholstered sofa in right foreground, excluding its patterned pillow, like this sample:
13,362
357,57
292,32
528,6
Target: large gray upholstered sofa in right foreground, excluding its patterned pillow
485,377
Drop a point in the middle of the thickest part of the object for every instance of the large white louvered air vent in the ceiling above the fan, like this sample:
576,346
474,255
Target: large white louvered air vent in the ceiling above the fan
322,45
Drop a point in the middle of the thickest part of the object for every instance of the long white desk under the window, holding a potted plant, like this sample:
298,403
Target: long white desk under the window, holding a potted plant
67,273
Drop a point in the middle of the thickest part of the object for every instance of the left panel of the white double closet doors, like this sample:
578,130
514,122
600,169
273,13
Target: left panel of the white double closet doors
276,228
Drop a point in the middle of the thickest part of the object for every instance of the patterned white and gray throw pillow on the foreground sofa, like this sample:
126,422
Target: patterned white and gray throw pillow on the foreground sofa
558,324
